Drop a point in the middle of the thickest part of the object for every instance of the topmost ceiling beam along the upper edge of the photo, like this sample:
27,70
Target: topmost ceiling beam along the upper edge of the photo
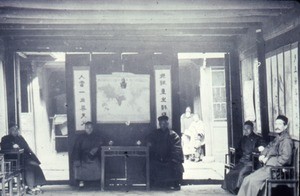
146,4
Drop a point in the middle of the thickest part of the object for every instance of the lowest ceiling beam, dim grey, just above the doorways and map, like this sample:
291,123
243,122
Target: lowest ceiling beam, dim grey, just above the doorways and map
62,45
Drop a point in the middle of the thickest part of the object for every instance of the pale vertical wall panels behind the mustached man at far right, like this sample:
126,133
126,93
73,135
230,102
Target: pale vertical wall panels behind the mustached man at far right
283,88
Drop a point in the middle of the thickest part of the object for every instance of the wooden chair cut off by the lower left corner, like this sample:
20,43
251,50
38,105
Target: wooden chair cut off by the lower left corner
6,176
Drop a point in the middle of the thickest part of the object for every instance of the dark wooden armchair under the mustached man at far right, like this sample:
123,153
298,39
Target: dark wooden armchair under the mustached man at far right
286,175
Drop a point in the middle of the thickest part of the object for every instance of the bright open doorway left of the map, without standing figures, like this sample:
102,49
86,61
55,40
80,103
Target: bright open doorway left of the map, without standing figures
42,109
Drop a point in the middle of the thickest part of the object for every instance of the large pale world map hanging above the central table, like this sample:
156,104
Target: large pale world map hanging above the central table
123,97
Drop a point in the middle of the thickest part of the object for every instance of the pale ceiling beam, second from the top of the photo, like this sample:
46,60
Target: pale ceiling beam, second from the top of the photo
135,15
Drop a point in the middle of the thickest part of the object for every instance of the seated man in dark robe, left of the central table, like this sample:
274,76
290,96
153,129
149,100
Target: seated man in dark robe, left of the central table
86,156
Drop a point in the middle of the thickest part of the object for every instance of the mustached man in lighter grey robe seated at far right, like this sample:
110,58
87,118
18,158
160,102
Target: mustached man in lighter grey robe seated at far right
277,153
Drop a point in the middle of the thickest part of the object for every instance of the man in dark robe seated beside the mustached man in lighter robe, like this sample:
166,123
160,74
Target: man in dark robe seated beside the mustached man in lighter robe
249,143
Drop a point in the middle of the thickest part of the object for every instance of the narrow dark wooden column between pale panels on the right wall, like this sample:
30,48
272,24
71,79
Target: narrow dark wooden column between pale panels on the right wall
260,45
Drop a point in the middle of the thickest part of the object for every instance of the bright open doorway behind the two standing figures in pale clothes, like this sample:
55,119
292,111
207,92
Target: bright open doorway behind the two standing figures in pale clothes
203,88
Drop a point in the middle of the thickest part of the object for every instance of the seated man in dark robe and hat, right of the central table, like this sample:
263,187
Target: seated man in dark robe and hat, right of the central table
166,157
